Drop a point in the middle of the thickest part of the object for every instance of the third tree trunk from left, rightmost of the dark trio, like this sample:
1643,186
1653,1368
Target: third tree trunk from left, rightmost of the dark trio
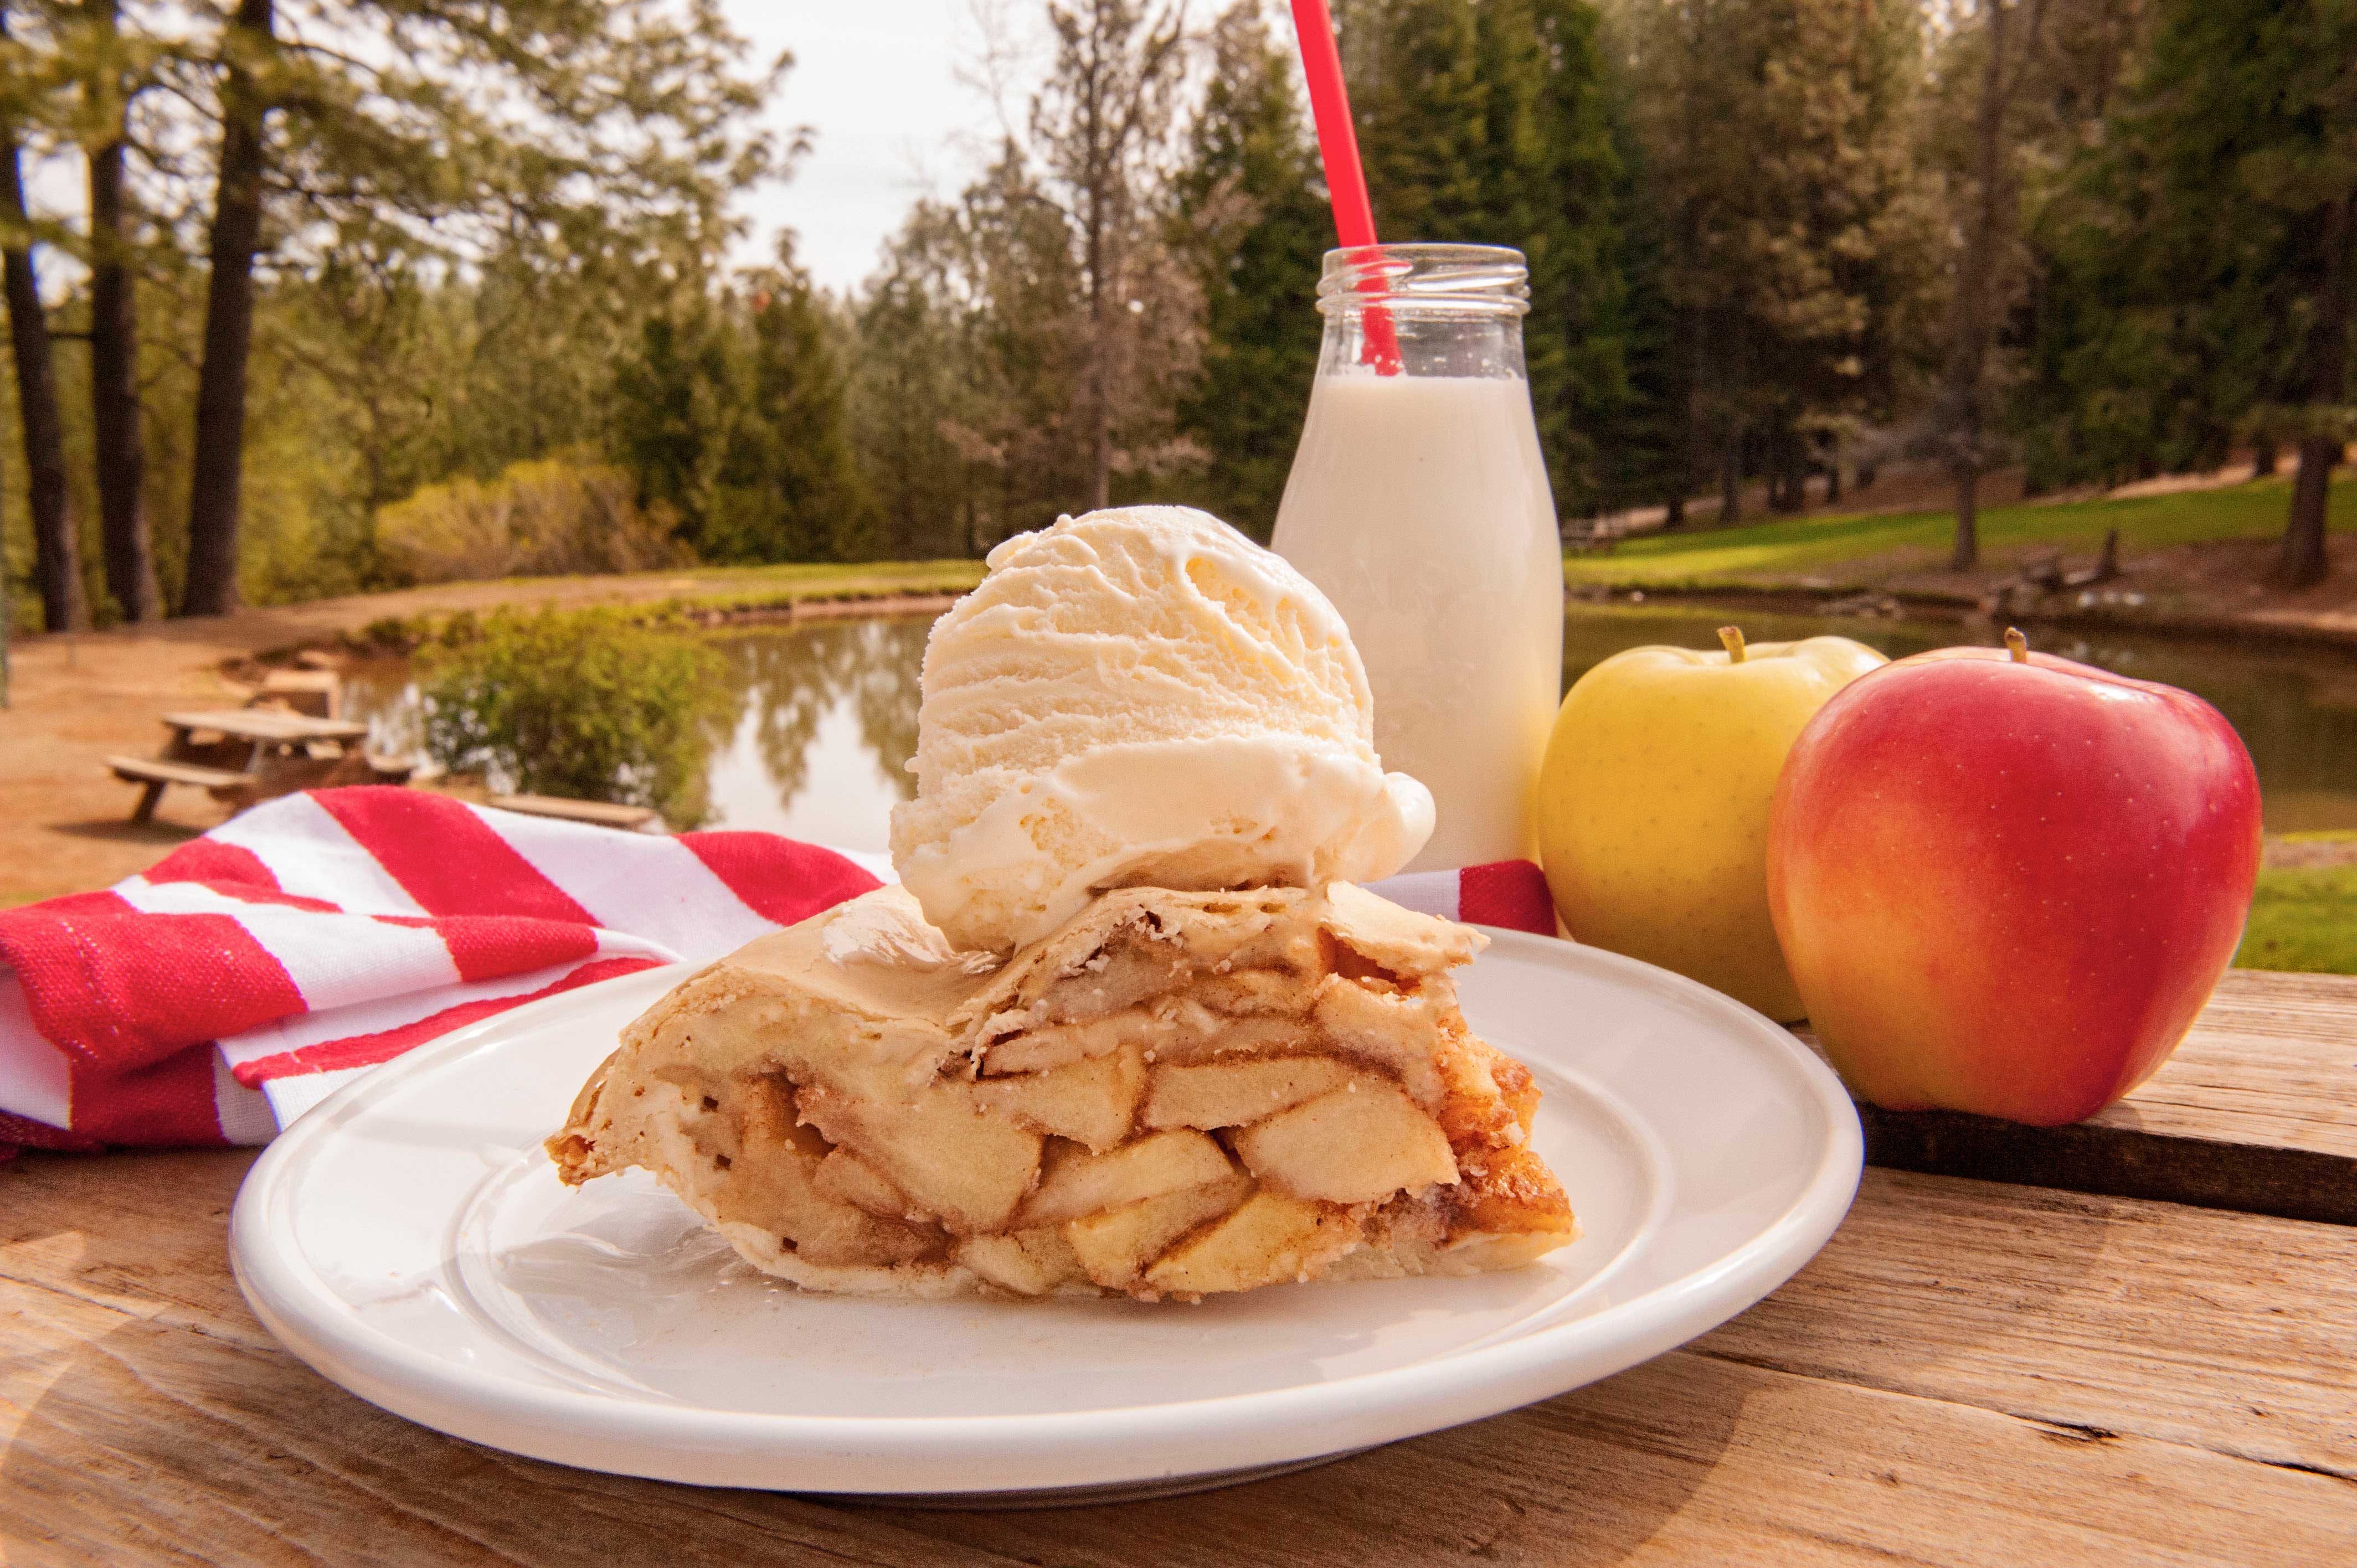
230,324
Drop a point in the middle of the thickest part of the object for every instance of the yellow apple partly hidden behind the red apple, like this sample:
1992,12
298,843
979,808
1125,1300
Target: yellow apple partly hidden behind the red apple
1653,803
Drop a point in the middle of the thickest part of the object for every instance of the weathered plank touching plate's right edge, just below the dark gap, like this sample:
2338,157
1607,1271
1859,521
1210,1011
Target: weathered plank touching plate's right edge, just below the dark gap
2224,1331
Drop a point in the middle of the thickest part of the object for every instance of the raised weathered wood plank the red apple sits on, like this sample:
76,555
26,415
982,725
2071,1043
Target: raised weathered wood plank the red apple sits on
2257,1114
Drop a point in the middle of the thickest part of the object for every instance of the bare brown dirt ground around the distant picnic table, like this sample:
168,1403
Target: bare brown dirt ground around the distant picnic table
79,699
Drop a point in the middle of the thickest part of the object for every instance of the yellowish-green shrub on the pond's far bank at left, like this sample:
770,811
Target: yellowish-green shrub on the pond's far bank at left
532,522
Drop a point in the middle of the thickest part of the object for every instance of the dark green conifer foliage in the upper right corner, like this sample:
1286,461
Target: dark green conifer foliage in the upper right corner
2186,251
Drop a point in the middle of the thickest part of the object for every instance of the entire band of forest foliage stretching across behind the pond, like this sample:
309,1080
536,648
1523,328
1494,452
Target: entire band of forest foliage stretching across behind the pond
506,239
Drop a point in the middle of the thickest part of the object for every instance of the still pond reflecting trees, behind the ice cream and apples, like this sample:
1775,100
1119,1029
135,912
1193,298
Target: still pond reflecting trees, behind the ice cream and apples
826,713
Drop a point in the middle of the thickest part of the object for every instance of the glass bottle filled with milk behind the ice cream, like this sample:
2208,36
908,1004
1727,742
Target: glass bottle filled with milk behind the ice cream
1420,506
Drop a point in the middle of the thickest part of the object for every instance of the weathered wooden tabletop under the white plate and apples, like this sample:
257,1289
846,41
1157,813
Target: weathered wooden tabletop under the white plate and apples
1976,1371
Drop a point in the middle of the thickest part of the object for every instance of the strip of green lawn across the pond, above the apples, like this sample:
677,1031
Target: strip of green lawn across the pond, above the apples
1863,551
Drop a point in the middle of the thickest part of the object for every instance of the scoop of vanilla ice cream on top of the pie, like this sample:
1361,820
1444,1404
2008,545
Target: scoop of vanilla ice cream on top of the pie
1142,699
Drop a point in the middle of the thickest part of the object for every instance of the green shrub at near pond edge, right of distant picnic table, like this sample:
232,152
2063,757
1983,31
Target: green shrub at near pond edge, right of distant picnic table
576,704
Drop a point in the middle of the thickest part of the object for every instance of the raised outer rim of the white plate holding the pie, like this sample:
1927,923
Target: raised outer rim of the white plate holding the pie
845,1454
